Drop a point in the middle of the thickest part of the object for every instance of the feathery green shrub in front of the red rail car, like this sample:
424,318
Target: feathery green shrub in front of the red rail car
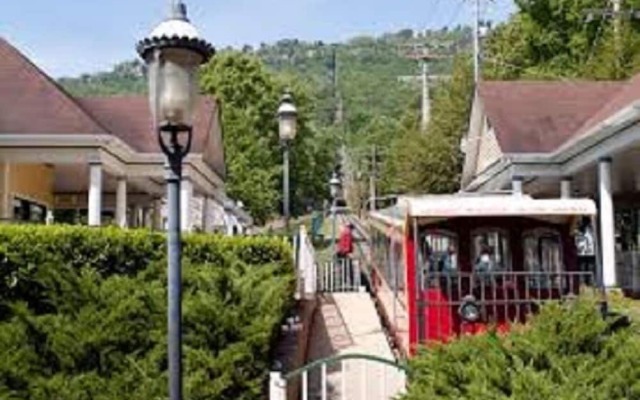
567,352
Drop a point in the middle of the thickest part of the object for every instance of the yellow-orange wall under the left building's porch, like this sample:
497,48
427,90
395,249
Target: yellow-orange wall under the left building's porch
32,182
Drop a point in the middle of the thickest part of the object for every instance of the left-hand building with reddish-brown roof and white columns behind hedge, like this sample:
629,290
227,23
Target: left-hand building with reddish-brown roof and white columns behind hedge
61,155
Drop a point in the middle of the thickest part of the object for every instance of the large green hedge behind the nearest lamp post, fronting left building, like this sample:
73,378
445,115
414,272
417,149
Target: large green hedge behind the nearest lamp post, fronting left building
82,313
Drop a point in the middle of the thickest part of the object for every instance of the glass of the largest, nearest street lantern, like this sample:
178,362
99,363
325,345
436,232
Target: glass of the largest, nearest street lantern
173,85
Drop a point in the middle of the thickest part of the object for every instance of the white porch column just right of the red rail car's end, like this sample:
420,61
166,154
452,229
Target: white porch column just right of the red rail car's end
607,236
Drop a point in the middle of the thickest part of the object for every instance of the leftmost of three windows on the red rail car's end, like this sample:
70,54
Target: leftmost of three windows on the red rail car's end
439,252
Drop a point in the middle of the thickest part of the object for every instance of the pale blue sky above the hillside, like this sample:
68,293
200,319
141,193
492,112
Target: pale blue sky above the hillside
71,37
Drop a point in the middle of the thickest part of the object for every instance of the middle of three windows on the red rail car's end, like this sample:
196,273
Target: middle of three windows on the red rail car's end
491,250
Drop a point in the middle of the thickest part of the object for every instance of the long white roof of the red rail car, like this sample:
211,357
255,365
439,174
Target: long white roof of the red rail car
437,207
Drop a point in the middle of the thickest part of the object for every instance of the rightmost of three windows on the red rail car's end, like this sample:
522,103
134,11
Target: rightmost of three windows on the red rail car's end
543,256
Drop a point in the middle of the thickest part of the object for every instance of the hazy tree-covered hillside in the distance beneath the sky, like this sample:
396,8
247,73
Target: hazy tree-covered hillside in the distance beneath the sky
367,68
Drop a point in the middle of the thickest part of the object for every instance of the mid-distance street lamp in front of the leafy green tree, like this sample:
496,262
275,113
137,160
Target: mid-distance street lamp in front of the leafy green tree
287,122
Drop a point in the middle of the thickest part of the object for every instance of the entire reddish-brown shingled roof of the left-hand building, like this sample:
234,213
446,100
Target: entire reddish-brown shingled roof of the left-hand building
33,103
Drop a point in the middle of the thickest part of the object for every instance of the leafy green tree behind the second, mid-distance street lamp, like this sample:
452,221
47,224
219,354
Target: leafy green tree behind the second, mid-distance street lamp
249,97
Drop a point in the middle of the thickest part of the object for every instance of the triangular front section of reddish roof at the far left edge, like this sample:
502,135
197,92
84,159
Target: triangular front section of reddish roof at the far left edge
31,102
